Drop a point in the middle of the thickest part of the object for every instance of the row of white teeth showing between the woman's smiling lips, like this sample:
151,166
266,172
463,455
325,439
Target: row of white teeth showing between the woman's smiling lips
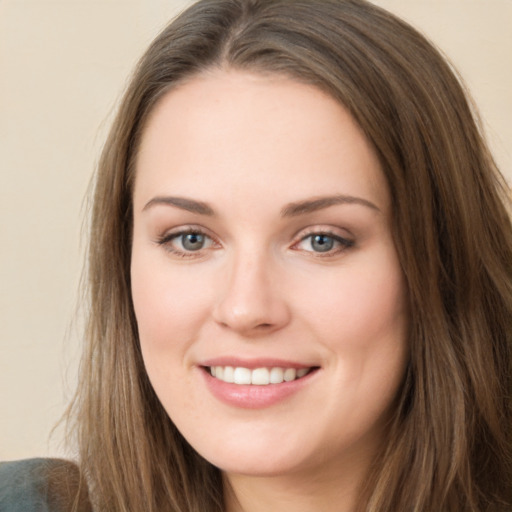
257,376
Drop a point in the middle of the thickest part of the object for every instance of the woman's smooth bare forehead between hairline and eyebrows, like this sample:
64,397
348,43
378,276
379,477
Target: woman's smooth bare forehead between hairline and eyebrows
239,131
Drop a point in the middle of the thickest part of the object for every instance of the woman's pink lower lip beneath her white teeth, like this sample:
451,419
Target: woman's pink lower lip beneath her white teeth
254,396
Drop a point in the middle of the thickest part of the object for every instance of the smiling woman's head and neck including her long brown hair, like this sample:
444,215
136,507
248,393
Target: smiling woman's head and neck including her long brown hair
300,274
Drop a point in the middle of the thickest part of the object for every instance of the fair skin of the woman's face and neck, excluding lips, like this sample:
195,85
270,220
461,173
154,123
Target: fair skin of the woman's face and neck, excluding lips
250,145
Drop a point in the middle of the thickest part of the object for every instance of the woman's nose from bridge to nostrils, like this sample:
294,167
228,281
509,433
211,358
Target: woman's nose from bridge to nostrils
251,301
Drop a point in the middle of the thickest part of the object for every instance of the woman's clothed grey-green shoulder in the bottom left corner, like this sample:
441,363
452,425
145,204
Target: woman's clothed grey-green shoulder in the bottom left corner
41,485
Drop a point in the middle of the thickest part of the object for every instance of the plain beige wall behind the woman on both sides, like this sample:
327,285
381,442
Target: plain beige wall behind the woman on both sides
63,65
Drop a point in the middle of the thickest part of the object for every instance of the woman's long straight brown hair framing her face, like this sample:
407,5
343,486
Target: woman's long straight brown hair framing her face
449,446
